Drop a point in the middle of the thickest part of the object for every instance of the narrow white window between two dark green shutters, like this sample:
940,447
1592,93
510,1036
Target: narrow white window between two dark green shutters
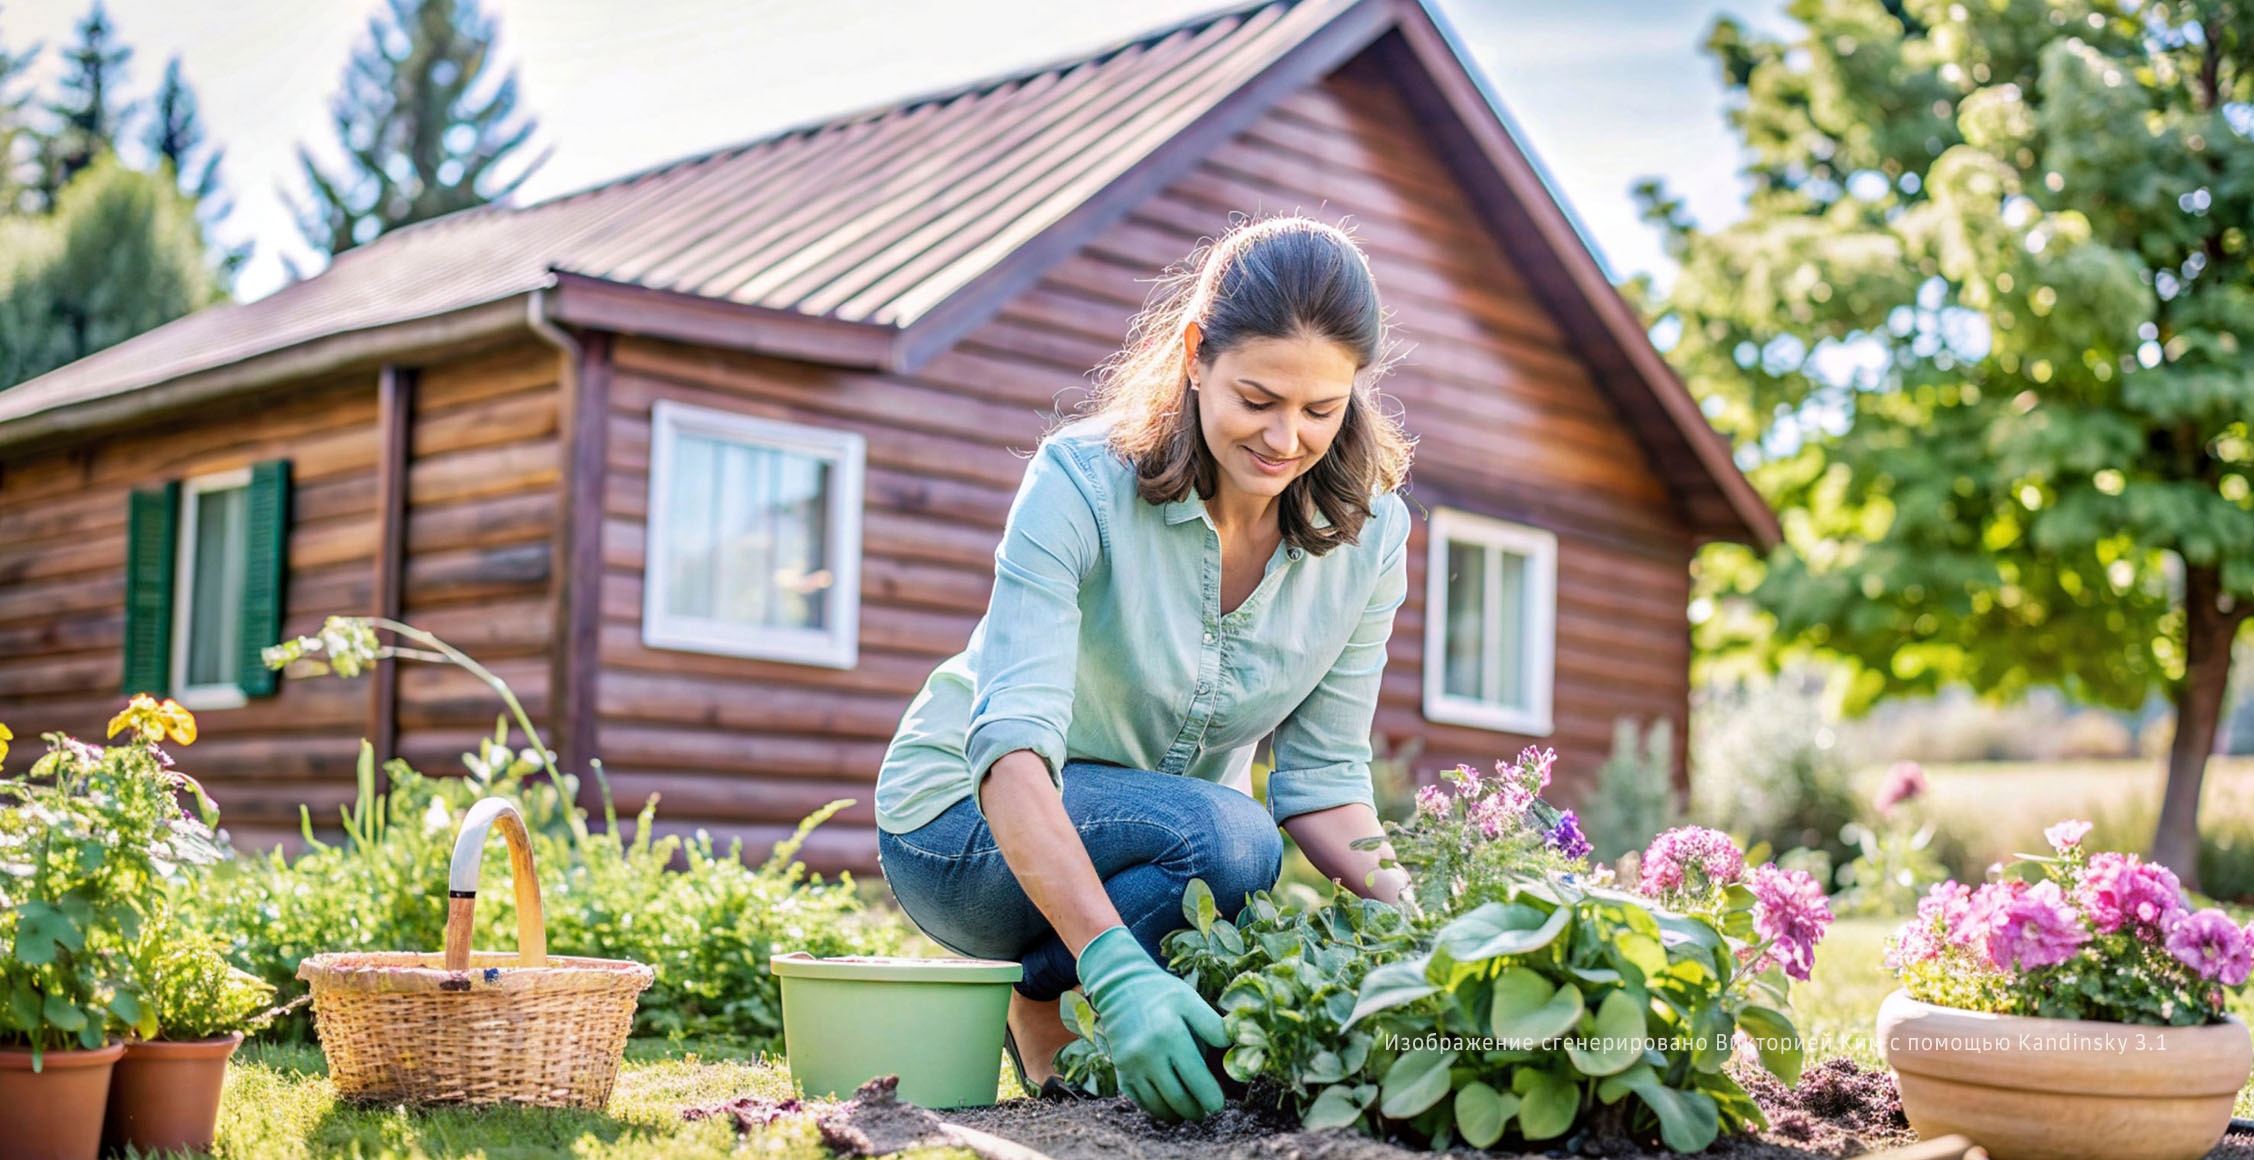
208,612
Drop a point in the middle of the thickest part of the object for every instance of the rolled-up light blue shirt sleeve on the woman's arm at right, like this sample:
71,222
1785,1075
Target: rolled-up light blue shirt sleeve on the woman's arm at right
1324,747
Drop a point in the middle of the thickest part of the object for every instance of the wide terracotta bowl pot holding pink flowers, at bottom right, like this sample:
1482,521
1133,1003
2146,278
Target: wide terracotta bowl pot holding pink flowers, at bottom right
2064,1089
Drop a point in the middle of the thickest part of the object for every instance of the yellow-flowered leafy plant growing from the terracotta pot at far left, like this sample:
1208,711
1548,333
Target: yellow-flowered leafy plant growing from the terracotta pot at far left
87,844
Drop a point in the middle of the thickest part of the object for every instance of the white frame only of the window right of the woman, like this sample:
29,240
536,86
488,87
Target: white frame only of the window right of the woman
1541,551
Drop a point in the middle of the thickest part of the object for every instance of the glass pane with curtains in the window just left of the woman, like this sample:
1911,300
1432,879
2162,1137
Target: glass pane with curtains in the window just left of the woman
747,535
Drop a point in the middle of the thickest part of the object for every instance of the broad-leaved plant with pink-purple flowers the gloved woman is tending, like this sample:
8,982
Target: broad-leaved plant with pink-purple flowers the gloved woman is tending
1516,994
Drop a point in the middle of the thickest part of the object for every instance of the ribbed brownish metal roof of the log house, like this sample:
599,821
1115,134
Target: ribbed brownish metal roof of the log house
871,217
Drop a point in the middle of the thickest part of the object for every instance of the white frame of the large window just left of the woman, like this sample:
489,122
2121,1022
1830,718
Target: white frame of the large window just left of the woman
837,648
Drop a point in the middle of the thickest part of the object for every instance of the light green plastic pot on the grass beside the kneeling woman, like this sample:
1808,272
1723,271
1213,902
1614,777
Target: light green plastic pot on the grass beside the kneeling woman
934,1024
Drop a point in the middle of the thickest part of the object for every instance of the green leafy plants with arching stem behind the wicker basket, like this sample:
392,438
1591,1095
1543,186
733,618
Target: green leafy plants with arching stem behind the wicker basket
691,909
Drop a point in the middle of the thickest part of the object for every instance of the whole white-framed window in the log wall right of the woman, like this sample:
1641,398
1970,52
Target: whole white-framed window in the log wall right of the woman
1491,623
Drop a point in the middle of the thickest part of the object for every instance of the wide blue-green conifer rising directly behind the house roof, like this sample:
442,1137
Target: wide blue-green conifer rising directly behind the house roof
418,125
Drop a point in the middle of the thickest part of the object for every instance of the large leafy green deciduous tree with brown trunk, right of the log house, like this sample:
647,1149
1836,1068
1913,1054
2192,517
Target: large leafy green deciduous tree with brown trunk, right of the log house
1982,341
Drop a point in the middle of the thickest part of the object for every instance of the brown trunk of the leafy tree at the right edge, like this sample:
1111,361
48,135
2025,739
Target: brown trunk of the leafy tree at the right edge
2210,627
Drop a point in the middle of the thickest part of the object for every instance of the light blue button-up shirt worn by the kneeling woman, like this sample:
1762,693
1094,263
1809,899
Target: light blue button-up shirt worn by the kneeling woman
1106,641
